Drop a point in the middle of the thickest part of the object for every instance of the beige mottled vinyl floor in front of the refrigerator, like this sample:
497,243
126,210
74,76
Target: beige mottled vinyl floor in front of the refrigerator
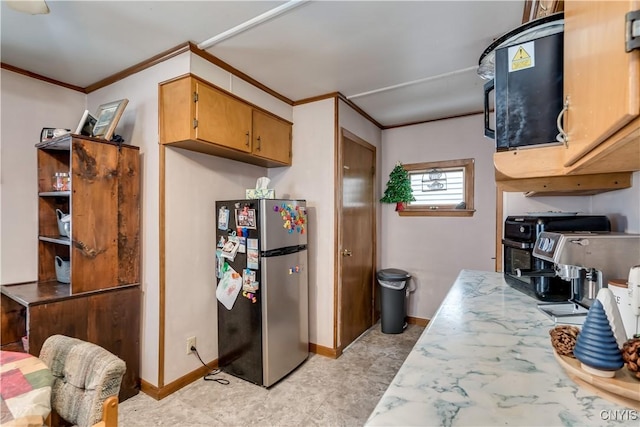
321,392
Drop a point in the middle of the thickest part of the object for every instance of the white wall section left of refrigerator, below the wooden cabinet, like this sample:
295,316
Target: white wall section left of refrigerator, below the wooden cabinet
194,182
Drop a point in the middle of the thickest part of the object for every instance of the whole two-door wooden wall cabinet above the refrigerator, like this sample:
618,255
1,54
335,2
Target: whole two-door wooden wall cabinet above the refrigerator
198,116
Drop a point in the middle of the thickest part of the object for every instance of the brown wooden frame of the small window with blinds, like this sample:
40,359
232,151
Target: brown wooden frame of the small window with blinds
469,178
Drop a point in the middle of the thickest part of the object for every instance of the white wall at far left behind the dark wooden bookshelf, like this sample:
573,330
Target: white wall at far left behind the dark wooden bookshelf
27,105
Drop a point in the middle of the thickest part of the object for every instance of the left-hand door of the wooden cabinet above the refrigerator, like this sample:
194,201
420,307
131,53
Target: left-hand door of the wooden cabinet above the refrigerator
222,119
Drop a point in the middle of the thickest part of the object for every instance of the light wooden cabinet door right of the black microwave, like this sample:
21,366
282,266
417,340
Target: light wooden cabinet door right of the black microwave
600,78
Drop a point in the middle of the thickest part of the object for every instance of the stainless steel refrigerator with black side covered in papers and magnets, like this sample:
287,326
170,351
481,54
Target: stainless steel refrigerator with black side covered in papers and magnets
263,333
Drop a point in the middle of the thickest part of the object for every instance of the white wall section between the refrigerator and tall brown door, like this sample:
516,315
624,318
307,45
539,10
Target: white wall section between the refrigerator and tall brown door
311,177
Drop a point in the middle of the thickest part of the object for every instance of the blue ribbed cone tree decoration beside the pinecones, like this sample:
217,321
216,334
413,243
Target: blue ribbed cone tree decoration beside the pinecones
596,347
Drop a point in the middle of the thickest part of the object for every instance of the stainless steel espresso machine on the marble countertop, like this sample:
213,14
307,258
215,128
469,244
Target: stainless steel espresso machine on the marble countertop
588,260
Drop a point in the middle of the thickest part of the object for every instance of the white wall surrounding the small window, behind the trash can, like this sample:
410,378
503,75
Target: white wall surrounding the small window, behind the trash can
434,249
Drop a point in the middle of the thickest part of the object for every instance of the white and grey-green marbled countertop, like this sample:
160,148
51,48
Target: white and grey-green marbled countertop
486,359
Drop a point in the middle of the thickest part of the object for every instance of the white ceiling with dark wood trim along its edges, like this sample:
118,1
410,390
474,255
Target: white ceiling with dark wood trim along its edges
400,62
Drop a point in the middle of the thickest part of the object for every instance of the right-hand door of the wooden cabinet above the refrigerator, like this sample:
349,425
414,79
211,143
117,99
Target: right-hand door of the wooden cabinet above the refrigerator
271,138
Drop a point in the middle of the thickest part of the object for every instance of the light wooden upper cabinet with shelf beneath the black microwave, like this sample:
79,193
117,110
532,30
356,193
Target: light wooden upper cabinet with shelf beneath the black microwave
602,93
